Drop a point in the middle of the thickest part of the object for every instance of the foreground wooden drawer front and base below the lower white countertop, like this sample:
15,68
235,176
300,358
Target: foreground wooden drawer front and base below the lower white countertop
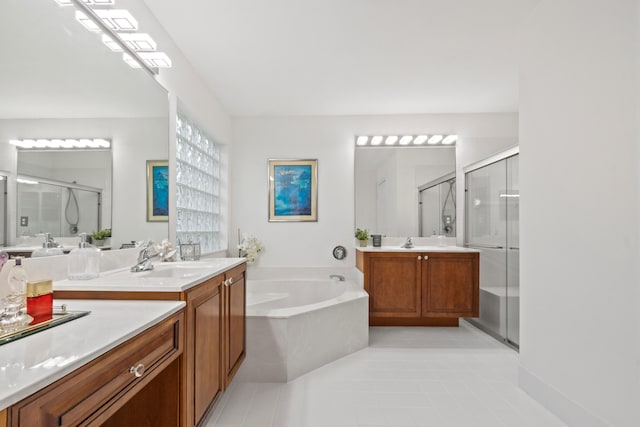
134,384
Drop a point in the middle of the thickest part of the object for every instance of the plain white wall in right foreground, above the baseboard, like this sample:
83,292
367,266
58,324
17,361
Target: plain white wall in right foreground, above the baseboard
579,145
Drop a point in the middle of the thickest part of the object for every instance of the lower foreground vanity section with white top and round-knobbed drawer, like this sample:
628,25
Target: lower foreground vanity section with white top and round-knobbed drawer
117,366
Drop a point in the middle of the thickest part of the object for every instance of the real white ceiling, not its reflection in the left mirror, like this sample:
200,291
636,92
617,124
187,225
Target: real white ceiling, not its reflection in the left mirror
340,57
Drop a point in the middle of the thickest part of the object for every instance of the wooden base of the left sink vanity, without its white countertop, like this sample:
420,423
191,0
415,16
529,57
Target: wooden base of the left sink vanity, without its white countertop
215,335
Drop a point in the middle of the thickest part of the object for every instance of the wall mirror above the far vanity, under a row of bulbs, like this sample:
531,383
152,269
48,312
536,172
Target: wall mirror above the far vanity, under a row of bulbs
389,183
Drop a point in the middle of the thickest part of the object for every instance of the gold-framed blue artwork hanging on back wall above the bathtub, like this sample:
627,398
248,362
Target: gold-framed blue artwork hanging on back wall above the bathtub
293,190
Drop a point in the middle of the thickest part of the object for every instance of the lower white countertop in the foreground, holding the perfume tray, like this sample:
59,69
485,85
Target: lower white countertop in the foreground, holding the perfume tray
32,363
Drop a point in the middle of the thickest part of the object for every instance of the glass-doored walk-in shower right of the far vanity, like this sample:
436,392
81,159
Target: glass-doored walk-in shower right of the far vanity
492,227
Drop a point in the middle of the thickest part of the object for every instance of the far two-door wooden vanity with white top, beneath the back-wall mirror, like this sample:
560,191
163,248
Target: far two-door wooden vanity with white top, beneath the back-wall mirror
421,286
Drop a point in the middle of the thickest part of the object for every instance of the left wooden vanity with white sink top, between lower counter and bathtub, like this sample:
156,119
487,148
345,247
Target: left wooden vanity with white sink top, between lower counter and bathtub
214,292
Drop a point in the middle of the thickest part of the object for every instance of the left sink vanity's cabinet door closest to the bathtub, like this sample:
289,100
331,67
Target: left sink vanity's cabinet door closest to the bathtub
235,308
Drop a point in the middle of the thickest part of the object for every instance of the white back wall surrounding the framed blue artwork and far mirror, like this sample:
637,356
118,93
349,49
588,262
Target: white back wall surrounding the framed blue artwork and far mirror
331,141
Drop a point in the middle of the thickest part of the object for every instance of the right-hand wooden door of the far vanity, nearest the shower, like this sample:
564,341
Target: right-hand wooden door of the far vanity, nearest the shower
450,284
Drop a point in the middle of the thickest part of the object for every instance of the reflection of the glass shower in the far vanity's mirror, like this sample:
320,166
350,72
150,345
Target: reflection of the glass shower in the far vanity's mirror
437,207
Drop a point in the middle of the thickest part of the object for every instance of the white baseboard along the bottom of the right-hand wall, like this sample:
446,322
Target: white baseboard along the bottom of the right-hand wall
560,405
